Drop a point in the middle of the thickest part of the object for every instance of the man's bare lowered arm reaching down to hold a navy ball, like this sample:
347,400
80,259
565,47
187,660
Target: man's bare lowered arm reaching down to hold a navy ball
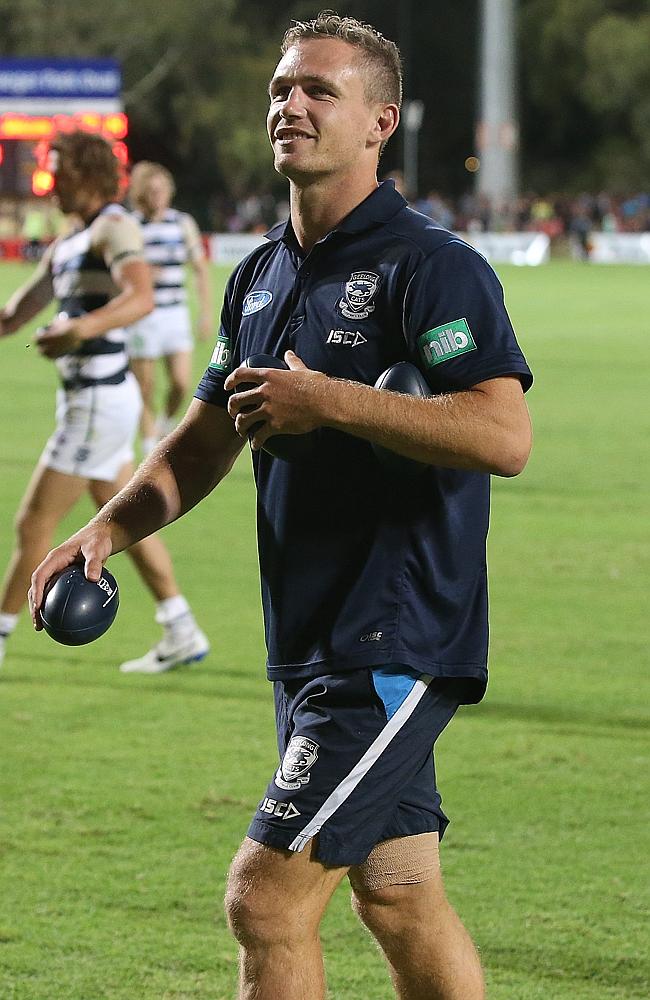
175,477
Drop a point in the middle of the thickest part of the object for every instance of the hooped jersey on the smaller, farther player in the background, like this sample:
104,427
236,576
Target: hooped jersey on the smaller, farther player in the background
169,243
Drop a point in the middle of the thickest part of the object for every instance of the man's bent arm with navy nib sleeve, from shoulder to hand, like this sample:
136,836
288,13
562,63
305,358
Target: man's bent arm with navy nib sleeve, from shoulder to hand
456,328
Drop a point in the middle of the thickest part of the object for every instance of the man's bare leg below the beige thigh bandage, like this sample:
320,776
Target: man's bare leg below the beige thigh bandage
430,954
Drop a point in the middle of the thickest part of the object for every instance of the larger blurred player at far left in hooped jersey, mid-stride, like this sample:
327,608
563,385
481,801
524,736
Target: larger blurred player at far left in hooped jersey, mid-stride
99,277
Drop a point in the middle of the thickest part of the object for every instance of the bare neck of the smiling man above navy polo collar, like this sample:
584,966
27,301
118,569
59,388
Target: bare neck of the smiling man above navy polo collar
316,209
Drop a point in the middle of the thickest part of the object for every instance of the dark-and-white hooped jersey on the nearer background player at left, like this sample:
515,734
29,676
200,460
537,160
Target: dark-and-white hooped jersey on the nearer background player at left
80,269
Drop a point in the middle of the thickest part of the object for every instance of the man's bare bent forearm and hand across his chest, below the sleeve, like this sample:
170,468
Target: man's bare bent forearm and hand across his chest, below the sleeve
485,428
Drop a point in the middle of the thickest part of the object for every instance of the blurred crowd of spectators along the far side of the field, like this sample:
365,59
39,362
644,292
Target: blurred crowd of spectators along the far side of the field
567,220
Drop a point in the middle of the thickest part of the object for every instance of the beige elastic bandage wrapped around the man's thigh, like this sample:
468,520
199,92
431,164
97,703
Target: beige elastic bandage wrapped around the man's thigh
399,861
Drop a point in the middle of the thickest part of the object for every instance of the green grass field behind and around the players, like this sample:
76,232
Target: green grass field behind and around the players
124,798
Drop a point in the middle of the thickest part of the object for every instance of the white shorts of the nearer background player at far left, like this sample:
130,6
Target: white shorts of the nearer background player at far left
95,430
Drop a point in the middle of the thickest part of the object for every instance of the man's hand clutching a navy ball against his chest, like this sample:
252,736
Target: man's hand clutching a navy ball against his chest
284,402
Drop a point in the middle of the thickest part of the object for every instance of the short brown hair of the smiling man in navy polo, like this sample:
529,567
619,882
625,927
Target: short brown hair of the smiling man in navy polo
379,56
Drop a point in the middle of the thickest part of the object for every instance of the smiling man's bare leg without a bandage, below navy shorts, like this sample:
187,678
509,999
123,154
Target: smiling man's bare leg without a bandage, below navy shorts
275,901
